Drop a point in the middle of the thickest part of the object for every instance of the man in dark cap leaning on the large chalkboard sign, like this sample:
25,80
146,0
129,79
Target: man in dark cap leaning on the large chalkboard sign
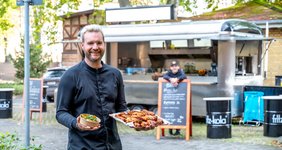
175,75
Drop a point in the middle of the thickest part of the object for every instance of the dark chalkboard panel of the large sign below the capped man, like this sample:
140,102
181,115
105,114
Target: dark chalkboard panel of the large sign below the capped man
173,103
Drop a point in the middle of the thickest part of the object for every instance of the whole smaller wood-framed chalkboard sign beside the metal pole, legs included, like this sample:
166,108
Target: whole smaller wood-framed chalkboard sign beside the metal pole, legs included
35,97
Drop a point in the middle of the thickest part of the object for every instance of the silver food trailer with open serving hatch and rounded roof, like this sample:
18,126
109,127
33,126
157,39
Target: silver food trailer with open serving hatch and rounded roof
218,56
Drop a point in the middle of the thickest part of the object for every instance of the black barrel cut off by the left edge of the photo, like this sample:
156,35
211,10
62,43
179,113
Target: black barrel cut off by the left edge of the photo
6,103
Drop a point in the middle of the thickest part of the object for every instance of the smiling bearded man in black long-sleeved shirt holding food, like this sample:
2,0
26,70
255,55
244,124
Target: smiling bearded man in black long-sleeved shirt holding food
93,88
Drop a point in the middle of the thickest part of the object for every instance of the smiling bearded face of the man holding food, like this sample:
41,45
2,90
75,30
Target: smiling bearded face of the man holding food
93,46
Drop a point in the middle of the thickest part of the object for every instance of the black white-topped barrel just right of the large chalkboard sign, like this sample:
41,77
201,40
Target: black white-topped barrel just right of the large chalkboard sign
218,117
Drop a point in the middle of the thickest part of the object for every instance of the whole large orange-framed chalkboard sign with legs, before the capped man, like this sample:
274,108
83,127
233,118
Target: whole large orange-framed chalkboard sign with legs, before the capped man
174,105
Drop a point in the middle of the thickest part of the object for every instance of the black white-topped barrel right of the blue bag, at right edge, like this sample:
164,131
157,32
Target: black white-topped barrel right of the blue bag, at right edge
272,126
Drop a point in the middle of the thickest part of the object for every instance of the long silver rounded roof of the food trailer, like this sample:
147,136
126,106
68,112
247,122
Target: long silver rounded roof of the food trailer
231,29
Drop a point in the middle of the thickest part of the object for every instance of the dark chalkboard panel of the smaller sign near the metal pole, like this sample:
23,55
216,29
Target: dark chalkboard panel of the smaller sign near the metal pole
35,94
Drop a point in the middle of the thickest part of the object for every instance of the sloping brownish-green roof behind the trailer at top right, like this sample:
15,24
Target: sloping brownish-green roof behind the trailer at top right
251,11
